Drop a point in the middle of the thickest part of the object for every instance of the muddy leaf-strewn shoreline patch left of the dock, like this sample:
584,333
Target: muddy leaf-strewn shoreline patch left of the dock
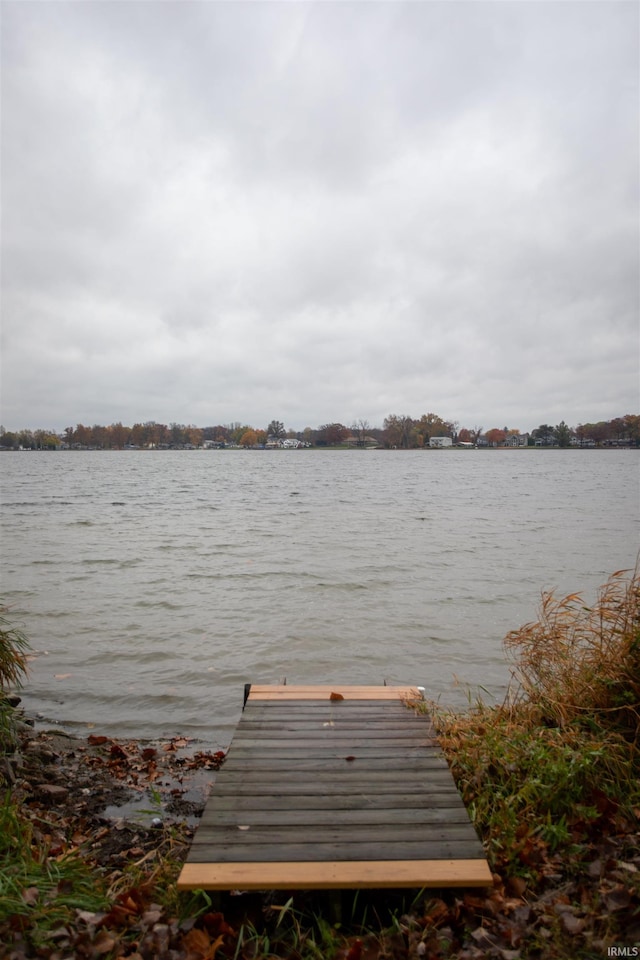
119,793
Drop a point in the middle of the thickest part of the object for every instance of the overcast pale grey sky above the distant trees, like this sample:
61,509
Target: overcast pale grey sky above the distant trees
318,212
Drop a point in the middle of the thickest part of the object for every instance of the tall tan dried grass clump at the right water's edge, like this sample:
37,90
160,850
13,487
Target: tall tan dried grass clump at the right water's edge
580,663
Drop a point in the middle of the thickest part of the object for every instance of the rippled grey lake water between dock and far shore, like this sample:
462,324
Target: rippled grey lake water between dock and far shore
154,585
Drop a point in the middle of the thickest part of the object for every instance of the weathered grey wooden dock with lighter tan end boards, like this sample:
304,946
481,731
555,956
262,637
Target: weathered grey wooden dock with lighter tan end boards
334,788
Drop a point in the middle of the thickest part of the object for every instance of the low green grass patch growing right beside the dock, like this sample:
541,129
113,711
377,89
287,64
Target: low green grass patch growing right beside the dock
529,787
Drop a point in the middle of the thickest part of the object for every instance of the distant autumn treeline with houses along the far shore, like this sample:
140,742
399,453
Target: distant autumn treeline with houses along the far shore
402,432
